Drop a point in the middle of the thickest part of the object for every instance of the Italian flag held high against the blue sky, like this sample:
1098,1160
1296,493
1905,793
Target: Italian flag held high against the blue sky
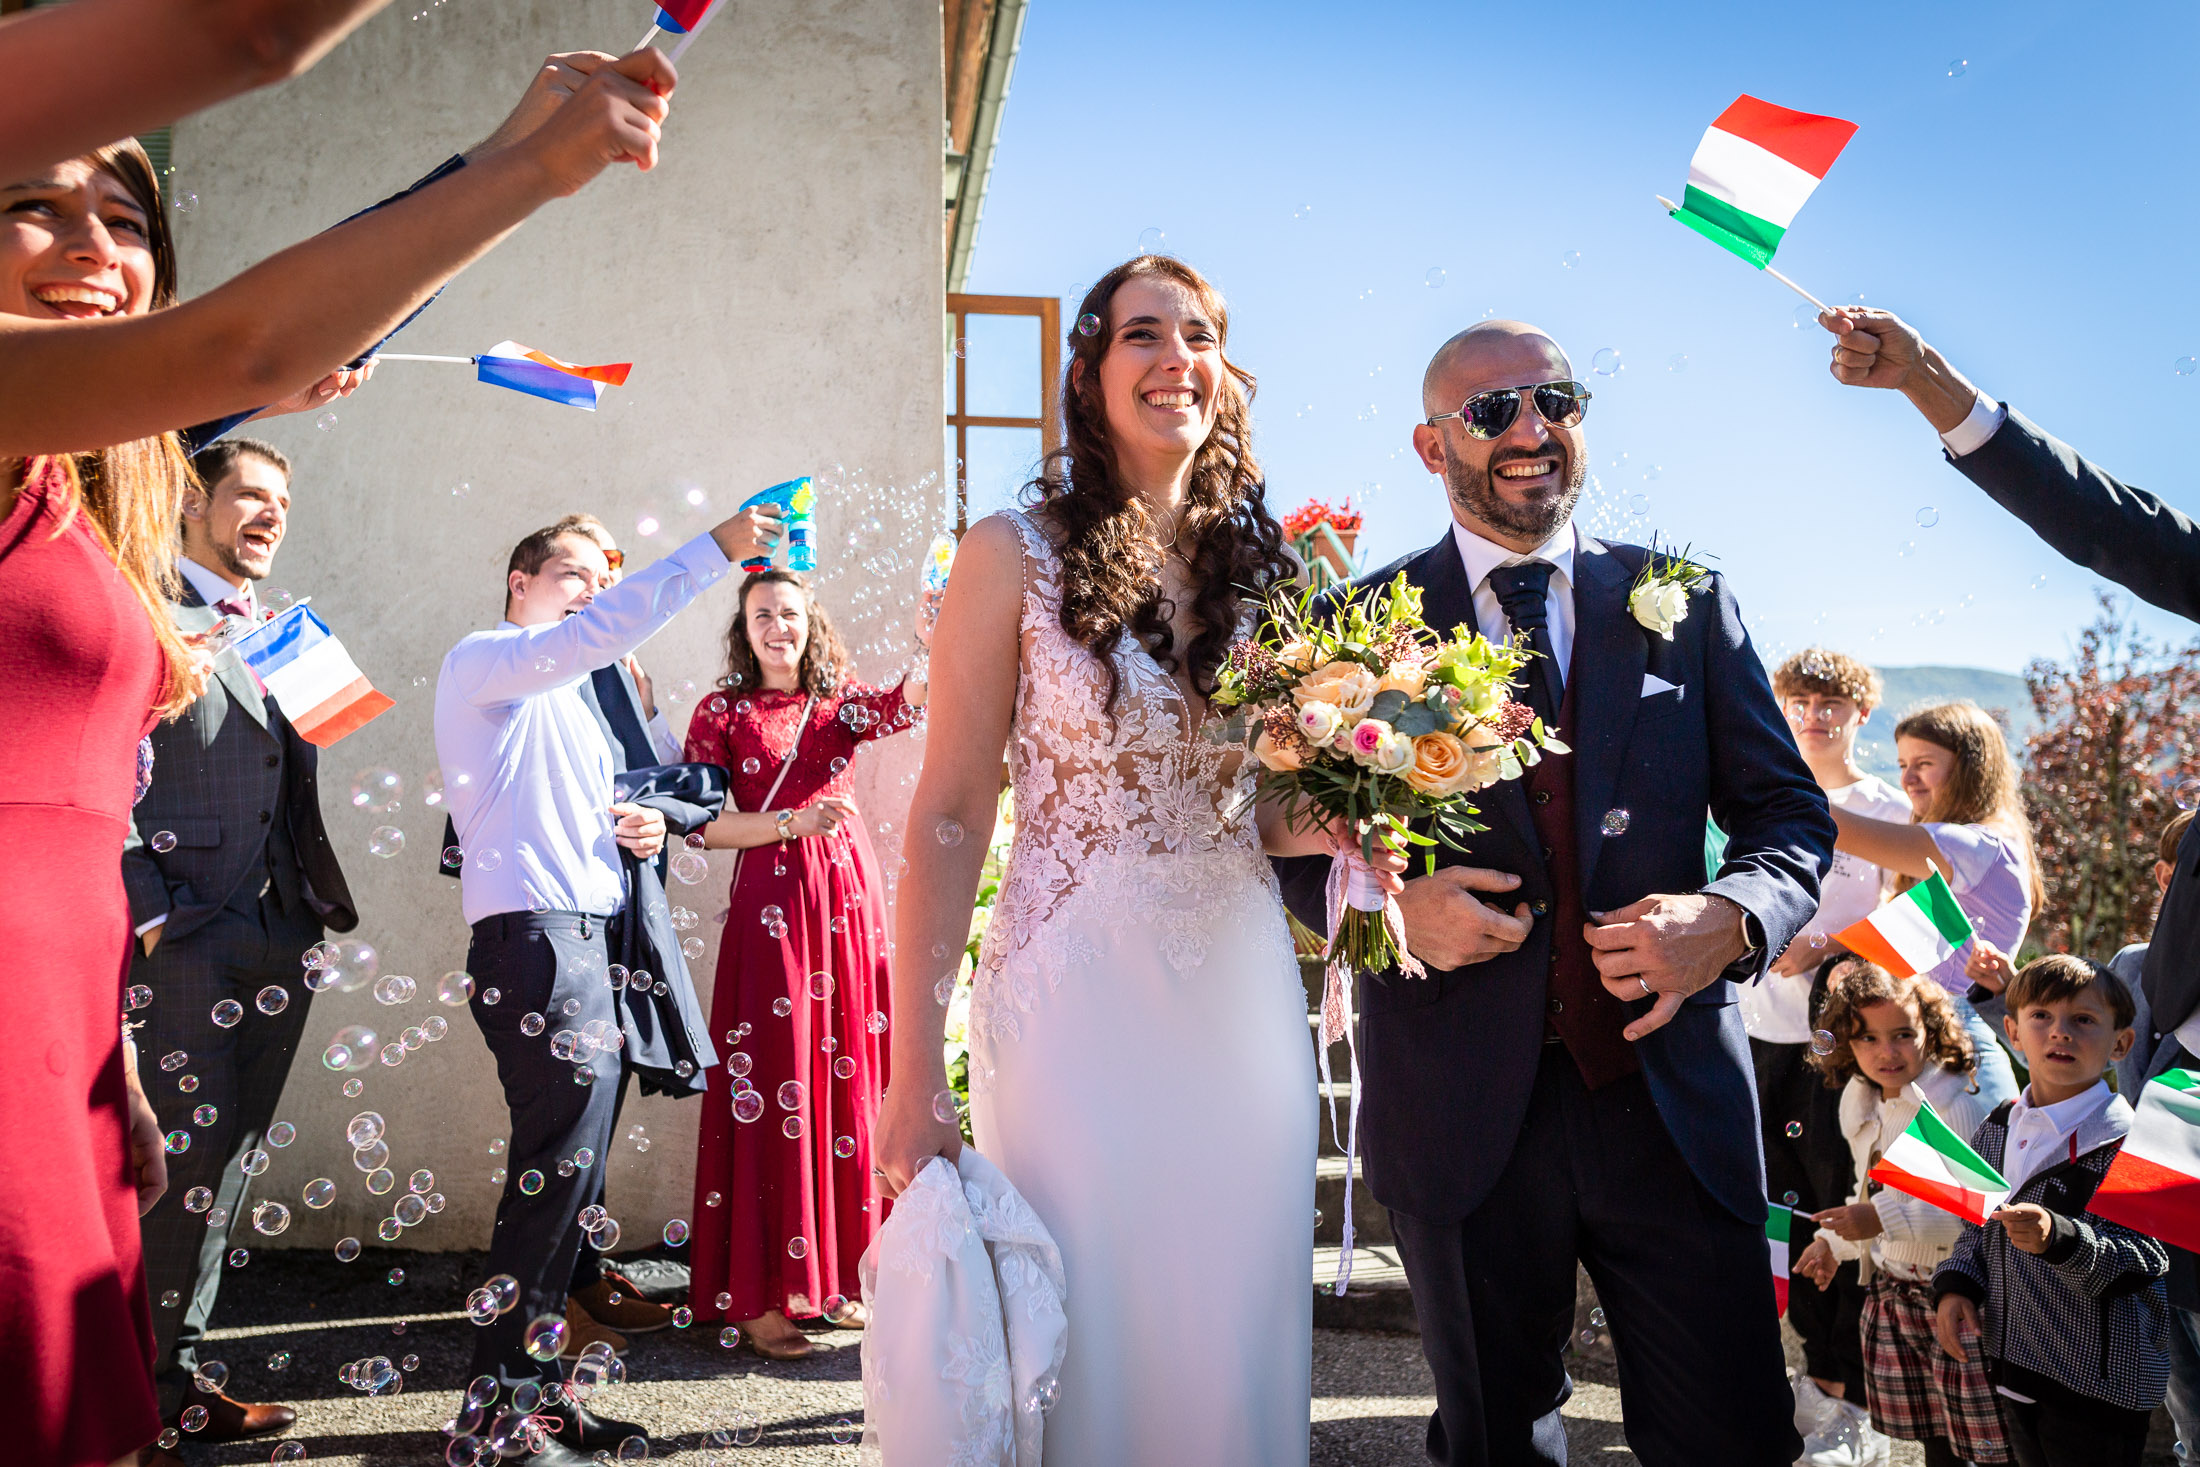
1754,170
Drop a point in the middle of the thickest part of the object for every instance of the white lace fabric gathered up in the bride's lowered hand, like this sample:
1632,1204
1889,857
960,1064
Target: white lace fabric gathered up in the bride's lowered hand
967,1336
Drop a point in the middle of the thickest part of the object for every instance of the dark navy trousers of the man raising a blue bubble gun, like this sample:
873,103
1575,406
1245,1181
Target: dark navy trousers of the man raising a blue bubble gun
536,964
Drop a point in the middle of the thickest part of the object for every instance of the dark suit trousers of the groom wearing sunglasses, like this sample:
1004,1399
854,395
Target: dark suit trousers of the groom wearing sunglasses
1684,1288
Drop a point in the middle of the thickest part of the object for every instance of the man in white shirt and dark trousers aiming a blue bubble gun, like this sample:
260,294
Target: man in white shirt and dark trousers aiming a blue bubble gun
529,782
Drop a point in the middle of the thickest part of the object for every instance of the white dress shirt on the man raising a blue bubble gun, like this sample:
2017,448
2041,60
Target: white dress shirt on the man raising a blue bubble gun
525,762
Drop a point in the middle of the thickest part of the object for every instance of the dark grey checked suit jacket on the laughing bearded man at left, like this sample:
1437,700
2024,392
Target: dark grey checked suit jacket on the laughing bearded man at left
221,771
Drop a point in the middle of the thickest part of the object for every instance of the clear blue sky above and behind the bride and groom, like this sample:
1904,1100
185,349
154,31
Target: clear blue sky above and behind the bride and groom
2034,214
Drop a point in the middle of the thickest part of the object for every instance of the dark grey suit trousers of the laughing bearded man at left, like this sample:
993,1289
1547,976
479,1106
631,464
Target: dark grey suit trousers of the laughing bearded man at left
239,1074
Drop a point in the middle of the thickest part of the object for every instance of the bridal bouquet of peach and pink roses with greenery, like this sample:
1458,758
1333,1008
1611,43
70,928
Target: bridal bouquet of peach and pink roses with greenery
1369,718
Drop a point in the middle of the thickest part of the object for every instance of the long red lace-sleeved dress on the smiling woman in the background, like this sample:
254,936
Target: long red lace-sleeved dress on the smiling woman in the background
784,1191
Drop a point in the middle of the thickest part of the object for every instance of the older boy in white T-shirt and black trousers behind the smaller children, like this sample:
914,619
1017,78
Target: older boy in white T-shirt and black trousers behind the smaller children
1827,698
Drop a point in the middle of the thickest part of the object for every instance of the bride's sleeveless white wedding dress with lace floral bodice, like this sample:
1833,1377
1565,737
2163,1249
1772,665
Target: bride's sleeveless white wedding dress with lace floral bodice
1141,1066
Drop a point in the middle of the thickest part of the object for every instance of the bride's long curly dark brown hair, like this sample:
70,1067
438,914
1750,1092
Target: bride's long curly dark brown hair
1110,551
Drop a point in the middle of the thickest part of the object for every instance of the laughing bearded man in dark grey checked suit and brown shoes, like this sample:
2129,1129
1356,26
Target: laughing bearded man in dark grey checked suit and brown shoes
230,881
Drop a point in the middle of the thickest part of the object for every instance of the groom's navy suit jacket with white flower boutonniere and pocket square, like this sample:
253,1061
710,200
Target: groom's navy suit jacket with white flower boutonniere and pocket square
1449,1061
